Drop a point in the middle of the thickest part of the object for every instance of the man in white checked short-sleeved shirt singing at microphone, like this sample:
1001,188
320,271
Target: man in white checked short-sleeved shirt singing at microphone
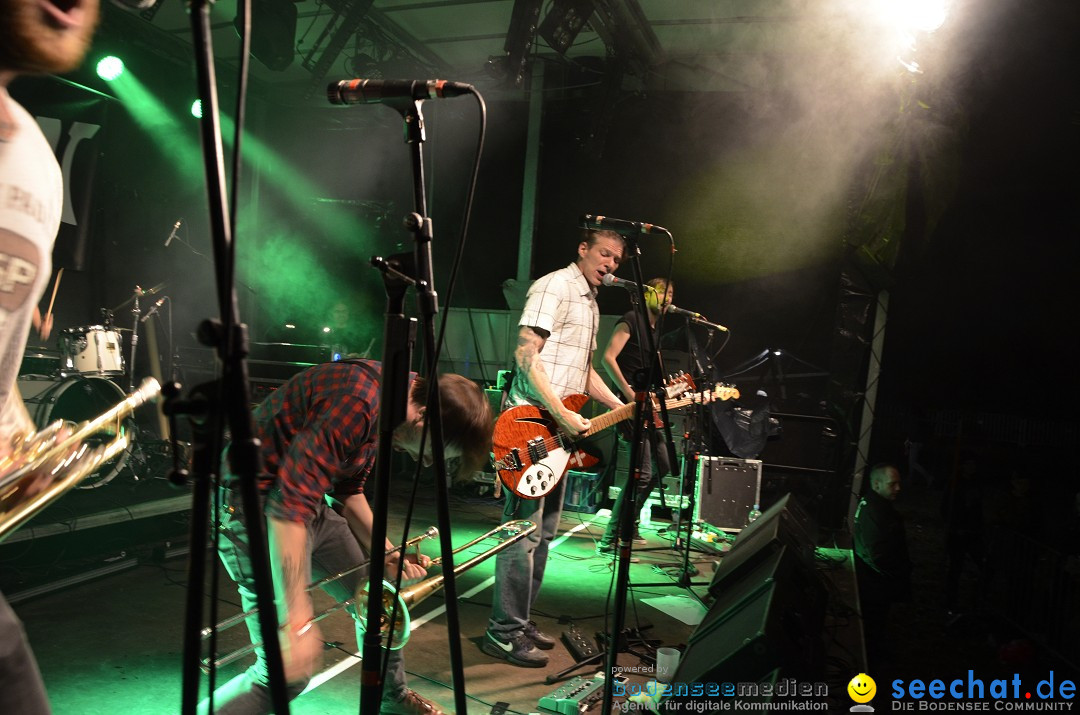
556,344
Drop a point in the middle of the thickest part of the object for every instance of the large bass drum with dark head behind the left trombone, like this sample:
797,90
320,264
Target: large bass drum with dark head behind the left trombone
77,400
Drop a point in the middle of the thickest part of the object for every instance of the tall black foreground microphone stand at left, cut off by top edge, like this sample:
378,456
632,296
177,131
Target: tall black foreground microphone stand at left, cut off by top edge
231,397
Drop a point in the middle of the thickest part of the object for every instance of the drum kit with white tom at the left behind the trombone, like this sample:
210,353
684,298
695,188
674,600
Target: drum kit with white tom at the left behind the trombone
77,383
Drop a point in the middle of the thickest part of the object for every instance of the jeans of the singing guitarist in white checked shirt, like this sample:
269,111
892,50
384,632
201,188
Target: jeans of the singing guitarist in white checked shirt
519,570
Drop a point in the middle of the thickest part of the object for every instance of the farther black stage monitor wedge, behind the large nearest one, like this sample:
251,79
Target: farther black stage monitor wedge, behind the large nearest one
784,524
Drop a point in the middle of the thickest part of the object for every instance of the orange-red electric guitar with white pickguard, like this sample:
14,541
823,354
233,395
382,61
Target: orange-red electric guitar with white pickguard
532,453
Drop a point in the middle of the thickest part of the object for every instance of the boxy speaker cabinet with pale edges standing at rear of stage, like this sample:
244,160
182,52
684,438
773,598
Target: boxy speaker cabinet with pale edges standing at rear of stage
728,490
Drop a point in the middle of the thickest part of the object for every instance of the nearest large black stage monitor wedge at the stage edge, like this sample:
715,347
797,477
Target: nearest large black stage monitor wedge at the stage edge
768,619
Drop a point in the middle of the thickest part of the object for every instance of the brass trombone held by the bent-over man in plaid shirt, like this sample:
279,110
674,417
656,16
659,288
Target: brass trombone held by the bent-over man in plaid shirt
408,598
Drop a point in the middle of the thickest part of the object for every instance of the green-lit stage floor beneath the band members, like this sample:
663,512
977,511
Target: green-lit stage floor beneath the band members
114,644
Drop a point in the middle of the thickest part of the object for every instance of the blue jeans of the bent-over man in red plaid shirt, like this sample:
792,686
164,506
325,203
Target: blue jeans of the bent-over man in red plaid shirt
334,549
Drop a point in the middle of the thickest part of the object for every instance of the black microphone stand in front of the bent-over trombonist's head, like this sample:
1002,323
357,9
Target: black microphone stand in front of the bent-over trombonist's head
397,333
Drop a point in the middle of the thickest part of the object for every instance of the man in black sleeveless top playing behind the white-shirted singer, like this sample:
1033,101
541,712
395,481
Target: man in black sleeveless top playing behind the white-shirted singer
624,357
